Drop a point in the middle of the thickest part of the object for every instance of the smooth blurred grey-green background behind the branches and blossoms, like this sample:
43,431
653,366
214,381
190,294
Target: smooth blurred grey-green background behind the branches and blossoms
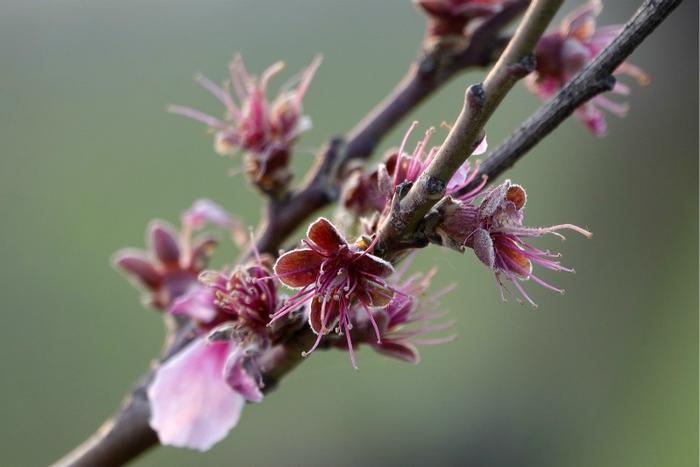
606,375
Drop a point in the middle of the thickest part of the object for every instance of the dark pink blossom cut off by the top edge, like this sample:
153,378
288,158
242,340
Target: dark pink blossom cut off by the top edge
450,17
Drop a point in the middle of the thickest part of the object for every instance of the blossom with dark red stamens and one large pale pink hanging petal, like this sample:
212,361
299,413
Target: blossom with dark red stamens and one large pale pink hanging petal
197,396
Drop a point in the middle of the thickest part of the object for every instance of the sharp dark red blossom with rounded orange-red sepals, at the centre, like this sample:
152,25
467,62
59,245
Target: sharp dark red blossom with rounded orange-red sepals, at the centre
333,274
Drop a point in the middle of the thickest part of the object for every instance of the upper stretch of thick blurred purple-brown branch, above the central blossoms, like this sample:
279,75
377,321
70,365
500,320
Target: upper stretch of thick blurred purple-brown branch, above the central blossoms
439,63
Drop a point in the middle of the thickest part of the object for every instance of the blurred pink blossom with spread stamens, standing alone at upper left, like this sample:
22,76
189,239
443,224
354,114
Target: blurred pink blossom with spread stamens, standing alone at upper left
265,130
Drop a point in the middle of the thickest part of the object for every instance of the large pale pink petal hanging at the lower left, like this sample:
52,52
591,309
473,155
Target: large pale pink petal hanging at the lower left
192,406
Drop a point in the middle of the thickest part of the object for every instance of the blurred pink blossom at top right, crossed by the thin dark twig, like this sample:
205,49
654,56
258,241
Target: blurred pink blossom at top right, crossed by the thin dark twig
563,53
